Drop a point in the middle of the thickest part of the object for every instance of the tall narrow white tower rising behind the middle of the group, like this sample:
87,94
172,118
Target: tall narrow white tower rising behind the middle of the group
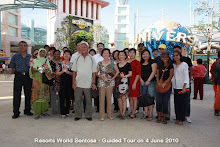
121,23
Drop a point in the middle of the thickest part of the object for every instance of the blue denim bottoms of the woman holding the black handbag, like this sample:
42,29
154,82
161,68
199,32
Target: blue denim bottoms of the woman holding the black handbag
150,89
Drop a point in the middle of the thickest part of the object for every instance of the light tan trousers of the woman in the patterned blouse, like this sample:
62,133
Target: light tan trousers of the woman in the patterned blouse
102,93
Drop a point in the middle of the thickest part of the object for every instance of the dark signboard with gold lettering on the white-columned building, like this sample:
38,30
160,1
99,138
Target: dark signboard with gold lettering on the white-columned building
81,24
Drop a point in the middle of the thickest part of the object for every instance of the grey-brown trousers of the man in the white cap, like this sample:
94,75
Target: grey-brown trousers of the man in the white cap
78,102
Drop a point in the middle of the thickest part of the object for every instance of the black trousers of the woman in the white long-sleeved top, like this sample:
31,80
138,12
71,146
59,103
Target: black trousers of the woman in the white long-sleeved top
180,104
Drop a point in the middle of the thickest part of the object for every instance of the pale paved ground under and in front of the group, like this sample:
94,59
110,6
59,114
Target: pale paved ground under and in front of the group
26,131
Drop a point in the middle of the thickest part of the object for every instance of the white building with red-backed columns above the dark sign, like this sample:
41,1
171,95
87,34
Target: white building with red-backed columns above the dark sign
85,12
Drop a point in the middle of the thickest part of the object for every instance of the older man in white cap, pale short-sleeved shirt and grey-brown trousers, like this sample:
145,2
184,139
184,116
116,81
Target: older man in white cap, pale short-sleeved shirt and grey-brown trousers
84,72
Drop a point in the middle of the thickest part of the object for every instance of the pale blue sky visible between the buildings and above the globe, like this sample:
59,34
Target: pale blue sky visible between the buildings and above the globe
150,11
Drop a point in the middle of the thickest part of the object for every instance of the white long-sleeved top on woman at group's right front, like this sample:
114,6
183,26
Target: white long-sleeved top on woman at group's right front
181,76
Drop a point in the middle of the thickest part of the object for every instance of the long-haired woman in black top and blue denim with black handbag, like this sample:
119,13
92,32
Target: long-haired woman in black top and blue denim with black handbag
148,80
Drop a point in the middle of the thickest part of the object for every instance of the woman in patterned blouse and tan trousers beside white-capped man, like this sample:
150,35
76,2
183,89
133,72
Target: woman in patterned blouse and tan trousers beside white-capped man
108,71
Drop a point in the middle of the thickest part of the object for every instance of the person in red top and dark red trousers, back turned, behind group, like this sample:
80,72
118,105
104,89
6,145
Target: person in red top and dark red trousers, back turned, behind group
199,77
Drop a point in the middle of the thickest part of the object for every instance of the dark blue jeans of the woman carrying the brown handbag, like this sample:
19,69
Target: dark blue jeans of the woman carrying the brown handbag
163,100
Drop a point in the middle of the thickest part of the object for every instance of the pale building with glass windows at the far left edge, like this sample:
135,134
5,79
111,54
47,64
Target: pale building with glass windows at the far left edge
11,33
